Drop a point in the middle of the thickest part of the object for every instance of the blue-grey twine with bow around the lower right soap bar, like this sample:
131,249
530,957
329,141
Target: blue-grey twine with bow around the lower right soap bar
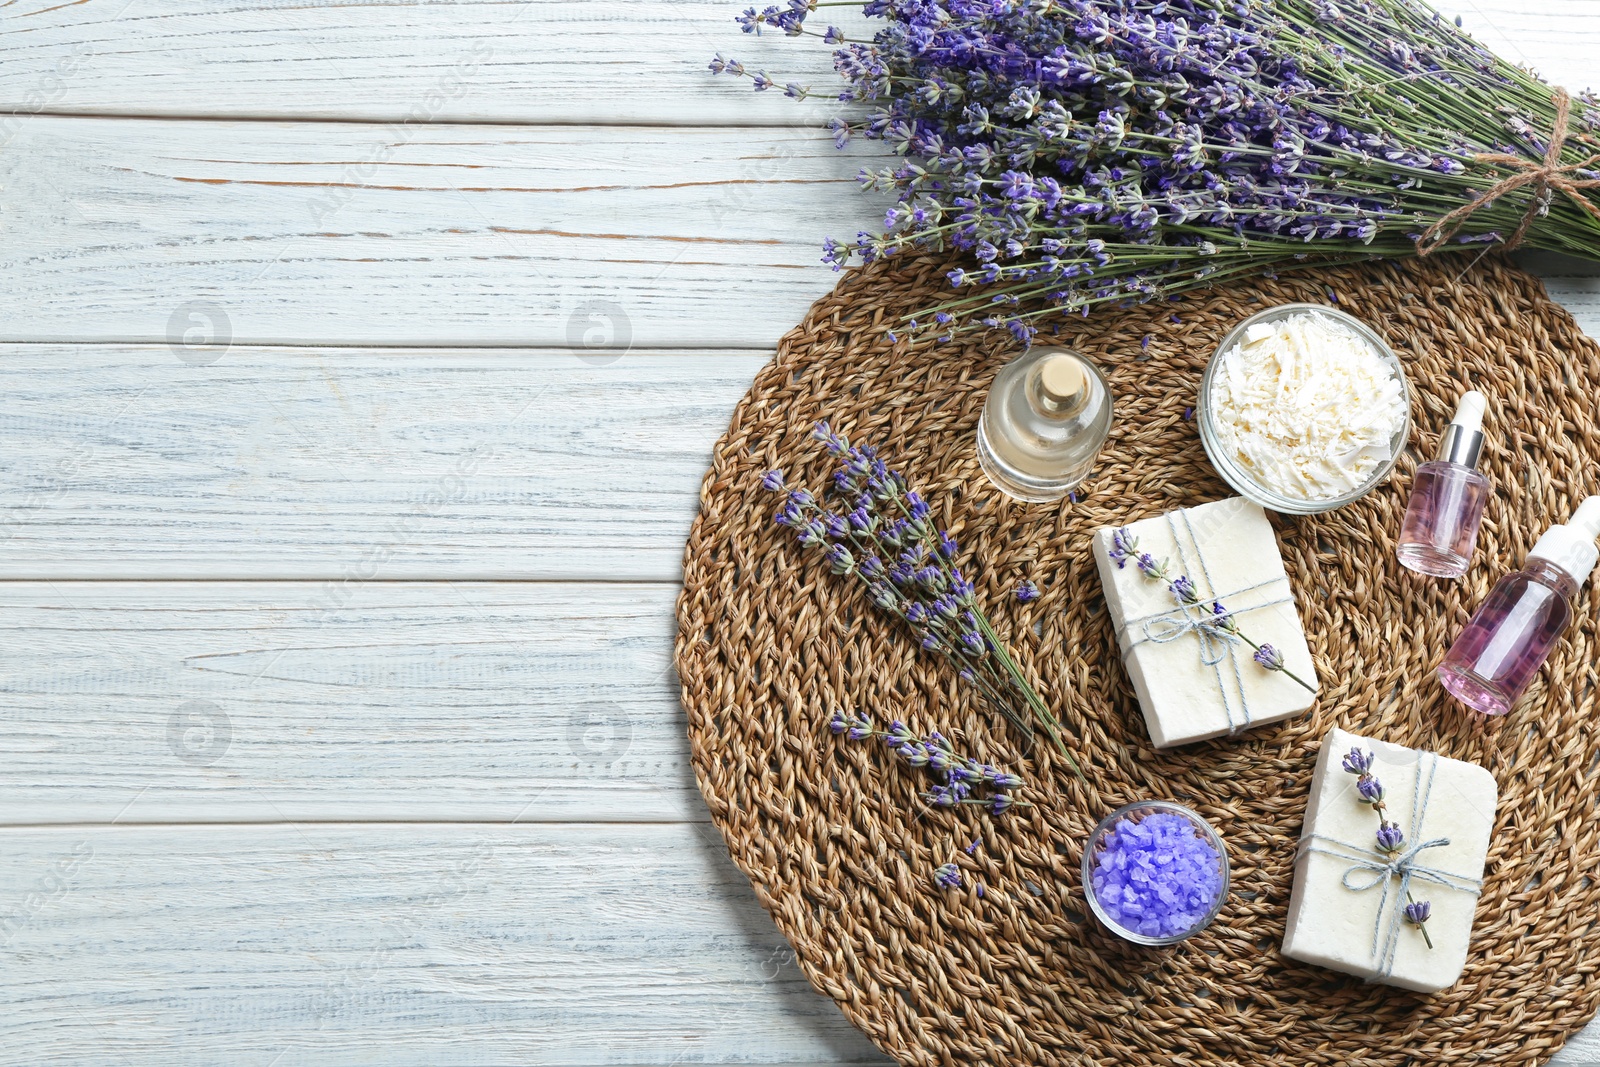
1370,871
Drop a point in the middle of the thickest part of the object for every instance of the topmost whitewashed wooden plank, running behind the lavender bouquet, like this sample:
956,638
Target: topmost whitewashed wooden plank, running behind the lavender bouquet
490,62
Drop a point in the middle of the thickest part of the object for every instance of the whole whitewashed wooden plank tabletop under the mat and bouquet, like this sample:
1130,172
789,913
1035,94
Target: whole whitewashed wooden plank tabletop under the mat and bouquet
359,364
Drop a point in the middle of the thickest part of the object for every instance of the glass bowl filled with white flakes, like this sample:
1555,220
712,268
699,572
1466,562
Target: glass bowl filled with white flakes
1305,409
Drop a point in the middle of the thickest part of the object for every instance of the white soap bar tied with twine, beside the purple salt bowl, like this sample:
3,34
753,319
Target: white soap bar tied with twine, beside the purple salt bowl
1348,909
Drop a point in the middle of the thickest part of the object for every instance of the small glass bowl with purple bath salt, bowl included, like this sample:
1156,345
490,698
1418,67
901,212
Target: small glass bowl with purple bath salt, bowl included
1154,873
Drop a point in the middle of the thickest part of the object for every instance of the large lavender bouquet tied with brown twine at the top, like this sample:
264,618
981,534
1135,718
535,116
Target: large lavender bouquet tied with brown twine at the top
1121,151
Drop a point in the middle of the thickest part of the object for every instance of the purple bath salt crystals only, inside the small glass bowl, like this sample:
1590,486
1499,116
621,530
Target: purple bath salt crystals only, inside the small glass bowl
1158,877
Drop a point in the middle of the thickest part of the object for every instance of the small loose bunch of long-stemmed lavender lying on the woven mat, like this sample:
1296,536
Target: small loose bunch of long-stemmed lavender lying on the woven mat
881,532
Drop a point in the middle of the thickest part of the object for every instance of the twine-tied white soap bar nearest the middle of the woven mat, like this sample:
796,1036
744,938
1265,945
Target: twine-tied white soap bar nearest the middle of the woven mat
1194,677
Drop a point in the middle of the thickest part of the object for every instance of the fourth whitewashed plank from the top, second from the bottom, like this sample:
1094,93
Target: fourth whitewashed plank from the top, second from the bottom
298,701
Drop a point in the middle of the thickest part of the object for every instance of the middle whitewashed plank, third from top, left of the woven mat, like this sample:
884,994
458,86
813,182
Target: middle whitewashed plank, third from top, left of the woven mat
329,463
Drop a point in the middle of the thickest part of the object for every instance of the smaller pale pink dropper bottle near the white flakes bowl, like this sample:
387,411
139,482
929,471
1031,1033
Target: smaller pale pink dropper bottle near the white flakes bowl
1447,498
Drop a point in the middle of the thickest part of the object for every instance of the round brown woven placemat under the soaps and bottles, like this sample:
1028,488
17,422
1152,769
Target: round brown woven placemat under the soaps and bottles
838,844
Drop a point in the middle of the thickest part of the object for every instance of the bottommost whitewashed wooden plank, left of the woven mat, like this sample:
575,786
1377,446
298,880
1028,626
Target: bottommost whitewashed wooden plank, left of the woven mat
399,945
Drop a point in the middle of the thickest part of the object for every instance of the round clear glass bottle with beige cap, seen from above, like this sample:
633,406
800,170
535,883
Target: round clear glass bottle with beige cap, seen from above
1044,423
